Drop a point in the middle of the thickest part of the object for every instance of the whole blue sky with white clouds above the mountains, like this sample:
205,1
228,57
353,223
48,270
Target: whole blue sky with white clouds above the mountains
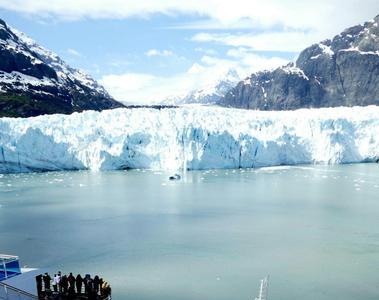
145,51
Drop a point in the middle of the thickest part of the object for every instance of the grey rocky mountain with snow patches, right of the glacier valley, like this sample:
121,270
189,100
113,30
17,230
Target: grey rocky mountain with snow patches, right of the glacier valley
343,71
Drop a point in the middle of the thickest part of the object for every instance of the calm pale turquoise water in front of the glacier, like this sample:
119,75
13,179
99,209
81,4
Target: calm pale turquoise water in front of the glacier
314,229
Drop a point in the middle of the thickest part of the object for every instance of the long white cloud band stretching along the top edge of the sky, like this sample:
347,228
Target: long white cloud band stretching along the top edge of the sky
324,16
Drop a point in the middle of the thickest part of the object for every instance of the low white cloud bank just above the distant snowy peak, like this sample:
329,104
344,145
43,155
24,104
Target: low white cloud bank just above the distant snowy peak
146,88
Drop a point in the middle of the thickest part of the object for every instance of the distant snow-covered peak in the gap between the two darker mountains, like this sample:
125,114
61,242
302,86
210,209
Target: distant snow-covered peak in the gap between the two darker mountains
210,93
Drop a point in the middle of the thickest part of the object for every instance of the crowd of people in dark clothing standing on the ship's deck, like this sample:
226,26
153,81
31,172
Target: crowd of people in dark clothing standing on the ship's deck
70,287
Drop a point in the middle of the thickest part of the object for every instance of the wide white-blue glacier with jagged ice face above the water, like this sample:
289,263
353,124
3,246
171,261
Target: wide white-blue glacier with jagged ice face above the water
194,137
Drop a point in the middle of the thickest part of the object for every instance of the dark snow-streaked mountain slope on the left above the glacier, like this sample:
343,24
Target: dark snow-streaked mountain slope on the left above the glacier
34,80
